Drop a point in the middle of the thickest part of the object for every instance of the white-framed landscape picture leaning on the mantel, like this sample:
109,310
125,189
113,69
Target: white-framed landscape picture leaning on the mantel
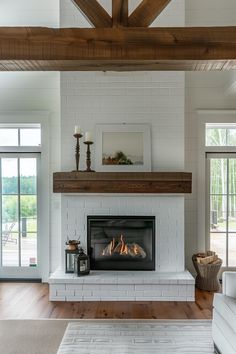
123,148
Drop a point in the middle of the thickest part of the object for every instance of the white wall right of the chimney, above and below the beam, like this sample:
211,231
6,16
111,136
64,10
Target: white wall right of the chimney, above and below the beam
204,90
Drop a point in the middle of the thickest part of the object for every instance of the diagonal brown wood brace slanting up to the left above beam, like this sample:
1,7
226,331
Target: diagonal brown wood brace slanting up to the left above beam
94,13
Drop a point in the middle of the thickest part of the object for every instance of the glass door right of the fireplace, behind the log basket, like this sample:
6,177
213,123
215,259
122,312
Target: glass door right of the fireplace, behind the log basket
222,206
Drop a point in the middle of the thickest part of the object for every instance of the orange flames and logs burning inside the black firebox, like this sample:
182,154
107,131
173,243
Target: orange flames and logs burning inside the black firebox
122,248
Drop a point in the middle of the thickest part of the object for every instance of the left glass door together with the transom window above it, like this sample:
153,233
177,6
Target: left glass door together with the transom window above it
20,147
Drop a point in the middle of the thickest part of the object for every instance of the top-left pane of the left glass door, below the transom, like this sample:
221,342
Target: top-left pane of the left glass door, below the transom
9,176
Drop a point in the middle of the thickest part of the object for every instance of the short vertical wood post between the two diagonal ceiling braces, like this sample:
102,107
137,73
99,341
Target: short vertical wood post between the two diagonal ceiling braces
120,11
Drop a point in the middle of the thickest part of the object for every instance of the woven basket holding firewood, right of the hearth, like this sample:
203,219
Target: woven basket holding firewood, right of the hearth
207,275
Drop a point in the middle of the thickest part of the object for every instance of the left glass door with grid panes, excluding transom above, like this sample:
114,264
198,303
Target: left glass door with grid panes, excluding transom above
19,215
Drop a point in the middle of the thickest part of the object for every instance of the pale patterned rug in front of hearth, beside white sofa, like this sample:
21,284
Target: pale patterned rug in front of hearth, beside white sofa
137,337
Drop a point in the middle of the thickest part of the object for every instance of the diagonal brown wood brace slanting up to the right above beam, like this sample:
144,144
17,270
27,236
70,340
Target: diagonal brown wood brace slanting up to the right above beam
147,12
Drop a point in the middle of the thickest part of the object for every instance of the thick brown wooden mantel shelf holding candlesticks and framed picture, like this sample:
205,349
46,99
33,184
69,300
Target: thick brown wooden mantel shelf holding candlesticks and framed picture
122,182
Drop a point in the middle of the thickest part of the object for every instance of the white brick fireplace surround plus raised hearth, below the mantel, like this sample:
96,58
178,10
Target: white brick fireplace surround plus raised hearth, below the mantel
169,281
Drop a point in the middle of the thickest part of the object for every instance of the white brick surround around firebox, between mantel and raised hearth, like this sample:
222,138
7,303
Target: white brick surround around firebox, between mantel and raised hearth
167,210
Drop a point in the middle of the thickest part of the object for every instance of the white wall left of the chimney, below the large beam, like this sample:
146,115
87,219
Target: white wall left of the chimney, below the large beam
25,91
